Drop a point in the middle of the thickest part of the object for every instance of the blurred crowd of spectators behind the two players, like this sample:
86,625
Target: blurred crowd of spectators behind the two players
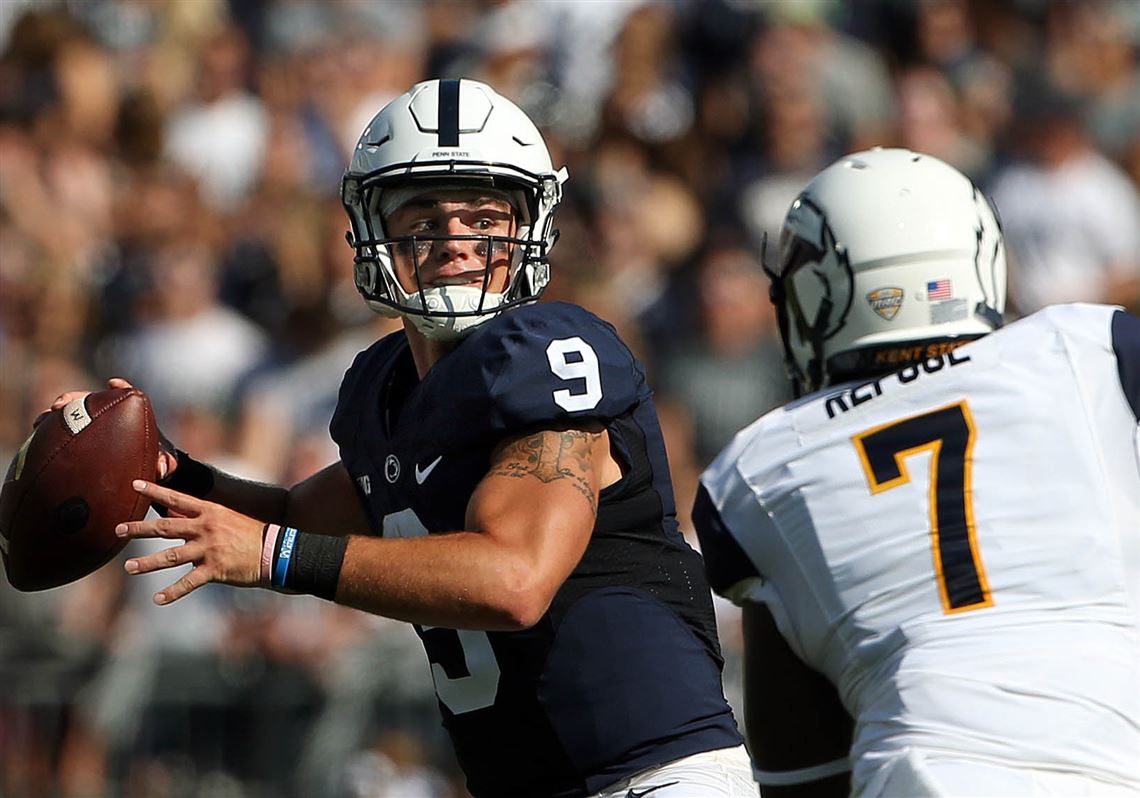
169,214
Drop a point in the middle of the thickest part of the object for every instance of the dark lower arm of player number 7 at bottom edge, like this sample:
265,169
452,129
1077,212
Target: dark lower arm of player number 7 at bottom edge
799,732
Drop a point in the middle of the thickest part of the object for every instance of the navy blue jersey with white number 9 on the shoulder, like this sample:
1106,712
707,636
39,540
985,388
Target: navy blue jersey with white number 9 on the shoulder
624,671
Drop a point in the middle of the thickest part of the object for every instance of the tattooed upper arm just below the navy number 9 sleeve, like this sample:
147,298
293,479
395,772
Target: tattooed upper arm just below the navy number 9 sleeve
551,455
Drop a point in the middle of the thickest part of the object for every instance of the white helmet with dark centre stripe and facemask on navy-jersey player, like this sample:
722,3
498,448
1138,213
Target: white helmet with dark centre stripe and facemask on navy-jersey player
451,134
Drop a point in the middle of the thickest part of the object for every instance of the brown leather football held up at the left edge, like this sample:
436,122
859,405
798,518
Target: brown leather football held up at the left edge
70,485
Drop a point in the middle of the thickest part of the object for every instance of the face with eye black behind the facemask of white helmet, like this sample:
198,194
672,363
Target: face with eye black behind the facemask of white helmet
444,262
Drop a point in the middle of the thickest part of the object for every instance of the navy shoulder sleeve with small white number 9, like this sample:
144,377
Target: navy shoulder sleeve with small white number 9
553,364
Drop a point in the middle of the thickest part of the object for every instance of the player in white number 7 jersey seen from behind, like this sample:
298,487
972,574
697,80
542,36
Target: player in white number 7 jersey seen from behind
938,545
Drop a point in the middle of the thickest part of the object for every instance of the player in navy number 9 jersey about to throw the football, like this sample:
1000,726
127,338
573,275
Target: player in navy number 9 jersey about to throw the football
503,483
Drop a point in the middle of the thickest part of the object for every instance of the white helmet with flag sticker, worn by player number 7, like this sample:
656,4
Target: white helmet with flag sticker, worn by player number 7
884,251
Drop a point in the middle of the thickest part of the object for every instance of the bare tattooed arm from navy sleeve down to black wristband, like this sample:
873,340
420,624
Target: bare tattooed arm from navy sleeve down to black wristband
528,524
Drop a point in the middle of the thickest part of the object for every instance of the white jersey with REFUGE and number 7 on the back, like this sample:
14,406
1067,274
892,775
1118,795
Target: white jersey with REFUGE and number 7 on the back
957,548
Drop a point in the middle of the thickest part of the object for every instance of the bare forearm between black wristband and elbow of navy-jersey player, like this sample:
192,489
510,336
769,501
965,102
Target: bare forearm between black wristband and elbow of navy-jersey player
458,581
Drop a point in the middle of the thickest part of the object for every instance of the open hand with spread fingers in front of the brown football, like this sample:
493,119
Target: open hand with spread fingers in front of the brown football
222,544
